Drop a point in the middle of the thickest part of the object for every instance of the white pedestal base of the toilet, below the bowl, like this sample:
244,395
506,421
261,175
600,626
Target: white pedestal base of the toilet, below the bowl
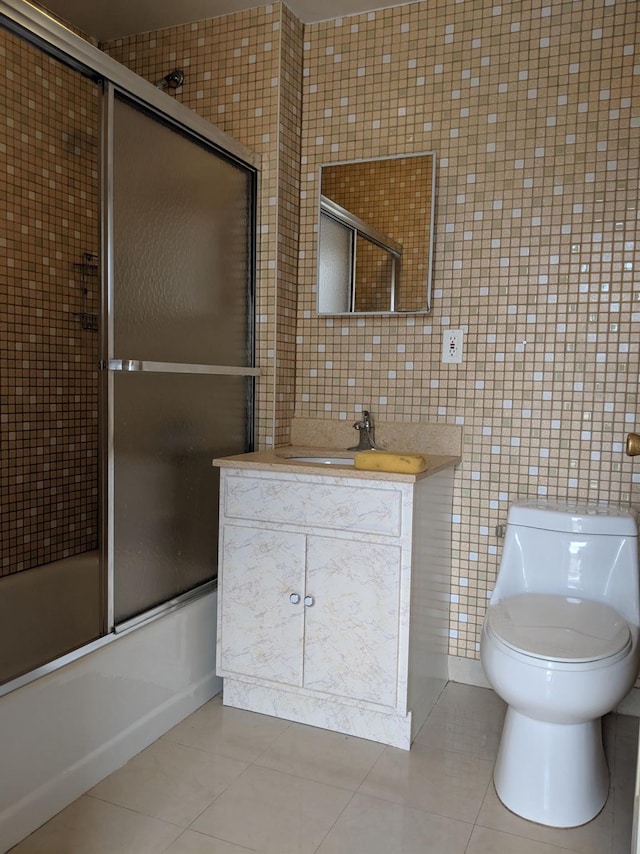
553,774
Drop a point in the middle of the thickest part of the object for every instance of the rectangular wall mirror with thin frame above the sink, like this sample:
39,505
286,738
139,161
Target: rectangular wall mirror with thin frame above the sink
375,235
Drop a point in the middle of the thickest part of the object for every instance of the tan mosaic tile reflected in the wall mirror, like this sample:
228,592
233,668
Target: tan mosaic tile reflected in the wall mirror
392,195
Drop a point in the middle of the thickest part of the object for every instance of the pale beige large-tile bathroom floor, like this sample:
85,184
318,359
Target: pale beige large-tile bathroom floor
226,781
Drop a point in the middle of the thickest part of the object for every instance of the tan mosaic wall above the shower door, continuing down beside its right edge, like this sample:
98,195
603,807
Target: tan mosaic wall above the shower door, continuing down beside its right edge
242,73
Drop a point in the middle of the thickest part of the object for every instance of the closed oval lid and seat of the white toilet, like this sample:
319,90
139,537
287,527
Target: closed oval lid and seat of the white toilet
559,629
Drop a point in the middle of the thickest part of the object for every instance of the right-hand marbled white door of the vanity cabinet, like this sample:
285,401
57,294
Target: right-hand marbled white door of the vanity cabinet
351,629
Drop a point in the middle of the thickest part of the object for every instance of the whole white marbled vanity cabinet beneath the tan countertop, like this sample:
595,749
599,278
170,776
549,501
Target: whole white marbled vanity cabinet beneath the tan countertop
333,598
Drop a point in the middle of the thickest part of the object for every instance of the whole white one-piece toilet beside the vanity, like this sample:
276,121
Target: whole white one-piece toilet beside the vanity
560,646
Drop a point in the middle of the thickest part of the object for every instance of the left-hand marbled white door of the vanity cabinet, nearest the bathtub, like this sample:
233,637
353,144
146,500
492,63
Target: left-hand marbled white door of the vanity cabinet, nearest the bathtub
261,629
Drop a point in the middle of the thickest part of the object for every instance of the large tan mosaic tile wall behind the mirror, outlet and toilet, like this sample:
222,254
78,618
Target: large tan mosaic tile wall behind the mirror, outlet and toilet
532,108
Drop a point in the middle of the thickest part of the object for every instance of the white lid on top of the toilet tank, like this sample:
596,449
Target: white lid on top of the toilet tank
579,519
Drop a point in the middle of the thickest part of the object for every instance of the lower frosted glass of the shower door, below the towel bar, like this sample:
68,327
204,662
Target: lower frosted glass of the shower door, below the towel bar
168,428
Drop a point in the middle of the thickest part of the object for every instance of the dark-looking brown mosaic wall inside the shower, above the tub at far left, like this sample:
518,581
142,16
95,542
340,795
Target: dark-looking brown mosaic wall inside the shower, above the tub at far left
48,362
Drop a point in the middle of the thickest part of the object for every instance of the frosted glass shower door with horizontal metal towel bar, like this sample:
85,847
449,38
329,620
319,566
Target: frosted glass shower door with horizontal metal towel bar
179,353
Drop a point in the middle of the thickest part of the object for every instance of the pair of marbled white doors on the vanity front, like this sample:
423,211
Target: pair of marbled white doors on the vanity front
294,616
